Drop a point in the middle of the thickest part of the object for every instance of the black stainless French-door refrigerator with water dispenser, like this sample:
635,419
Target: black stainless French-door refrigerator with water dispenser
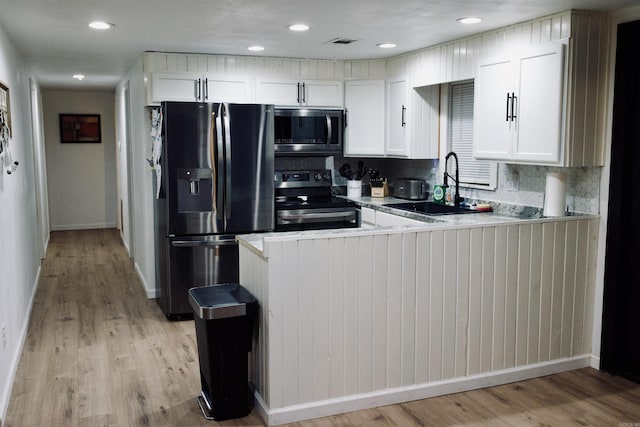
216,181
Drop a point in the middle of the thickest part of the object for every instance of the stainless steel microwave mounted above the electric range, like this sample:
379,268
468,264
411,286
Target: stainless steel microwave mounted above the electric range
308,131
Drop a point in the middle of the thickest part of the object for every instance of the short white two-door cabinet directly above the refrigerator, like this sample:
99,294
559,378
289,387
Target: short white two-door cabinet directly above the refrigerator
200,87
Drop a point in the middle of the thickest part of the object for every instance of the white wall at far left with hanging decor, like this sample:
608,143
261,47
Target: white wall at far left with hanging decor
19,253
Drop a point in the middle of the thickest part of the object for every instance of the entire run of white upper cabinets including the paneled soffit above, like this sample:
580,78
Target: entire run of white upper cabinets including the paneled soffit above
546,125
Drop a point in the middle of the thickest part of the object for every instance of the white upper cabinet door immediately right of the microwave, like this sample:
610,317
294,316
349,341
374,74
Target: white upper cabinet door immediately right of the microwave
364,107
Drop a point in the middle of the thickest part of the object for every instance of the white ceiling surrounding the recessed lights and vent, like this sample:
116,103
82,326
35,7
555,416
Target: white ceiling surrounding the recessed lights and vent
55,41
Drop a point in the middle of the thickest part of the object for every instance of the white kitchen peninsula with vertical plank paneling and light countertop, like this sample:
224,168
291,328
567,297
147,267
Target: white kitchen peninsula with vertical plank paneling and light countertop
358,318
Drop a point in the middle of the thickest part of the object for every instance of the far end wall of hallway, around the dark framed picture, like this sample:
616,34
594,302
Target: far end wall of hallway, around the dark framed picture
81,177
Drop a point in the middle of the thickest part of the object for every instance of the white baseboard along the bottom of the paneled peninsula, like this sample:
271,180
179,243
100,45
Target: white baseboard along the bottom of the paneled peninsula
325,408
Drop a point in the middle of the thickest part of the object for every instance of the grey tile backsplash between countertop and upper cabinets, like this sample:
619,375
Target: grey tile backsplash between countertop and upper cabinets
583,184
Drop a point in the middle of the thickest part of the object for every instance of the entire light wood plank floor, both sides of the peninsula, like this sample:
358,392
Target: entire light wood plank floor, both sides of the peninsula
98,353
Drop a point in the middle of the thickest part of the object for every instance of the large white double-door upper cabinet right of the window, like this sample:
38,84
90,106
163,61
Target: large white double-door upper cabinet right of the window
518,107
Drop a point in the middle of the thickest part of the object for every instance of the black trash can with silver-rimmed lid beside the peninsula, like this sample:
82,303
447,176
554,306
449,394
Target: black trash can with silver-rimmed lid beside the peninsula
224,318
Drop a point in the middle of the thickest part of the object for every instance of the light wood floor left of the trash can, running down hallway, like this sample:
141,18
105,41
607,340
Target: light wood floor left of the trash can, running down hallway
98,352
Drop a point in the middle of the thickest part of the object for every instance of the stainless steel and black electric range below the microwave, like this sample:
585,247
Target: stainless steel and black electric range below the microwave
304,201
